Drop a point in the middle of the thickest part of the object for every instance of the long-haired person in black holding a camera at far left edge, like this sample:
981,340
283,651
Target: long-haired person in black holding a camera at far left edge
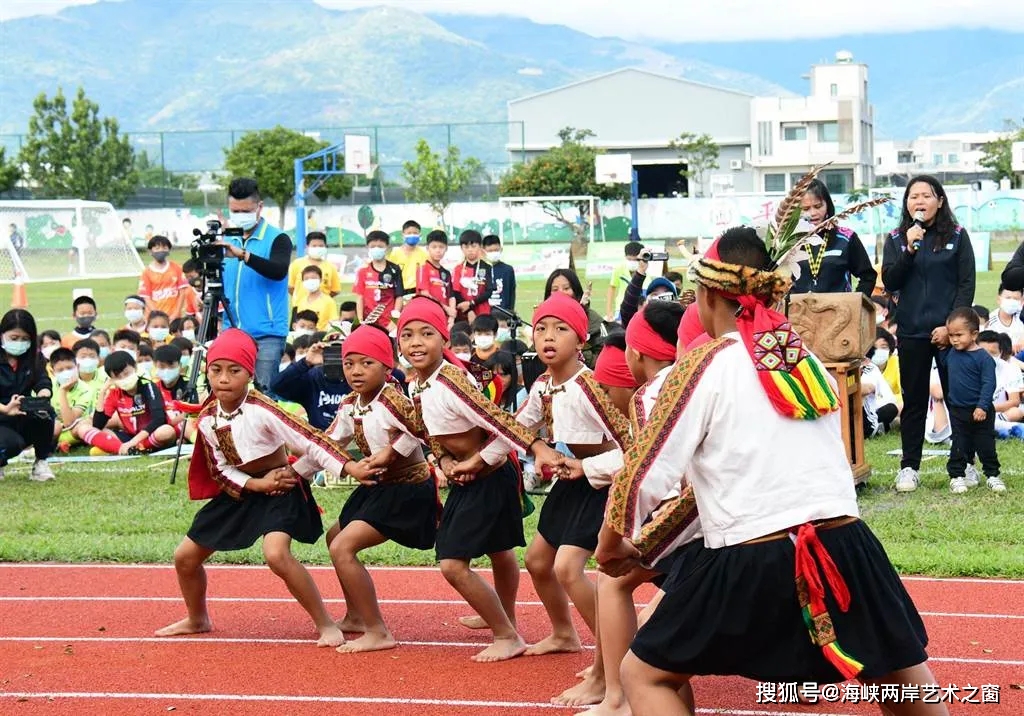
24,376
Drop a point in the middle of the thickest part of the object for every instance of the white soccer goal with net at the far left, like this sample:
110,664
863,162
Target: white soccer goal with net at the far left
55,240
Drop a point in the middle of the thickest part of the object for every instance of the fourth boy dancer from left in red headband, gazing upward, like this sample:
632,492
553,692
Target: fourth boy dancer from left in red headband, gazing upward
573,409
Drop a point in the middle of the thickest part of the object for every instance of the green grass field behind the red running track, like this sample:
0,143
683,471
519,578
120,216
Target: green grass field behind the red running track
127,512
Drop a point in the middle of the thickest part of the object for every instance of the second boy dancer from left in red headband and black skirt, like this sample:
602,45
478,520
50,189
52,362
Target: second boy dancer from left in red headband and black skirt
397,499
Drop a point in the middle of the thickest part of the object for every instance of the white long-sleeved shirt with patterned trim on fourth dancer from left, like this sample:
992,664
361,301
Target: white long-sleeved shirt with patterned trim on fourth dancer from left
581,414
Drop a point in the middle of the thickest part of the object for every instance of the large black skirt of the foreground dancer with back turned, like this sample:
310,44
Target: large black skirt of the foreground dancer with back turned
735,611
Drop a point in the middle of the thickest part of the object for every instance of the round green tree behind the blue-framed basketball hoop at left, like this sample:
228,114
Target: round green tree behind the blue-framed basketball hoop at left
269,156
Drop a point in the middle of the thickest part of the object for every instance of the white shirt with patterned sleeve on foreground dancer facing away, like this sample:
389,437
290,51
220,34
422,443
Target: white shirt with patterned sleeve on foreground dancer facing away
753,472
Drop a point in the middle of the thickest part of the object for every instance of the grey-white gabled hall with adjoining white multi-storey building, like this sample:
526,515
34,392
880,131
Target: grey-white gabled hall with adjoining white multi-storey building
766,144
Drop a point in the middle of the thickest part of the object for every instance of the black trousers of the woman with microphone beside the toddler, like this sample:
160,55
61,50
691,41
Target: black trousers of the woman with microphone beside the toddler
915,373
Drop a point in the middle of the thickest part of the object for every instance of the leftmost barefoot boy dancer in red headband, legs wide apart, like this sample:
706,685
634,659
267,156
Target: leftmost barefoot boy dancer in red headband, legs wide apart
241,461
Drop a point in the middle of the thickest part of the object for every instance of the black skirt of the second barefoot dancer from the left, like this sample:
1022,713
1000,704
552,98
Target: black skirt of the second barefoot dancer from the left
404,513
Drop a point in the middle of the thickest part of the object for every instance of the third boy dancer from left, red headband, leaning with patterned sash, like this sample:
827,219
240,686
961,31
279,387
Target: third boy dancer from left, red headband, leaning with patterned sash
473,440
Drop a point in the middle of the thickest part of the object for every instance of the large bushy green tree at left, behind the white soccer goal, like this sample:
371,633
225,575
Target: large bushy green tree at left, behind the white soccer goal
77,156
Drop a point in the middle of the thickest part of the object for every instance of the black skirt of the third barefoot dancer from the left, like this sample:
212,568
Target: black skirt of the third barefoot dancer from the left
482,518
